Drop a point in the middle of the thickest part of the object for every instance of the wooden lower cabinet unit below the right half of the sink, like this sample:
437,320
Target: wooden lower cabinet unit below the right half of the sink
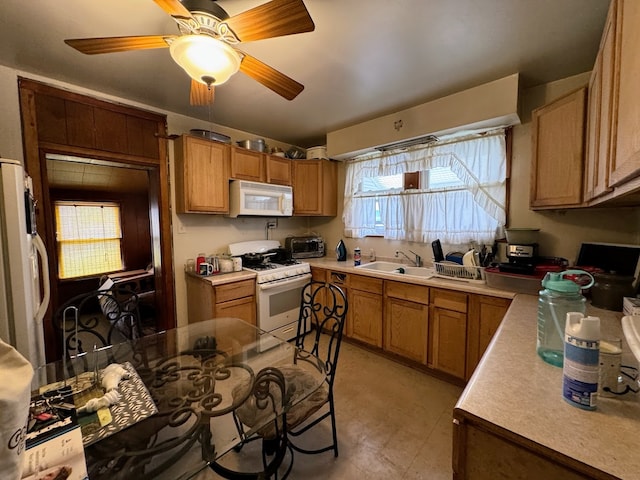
406,320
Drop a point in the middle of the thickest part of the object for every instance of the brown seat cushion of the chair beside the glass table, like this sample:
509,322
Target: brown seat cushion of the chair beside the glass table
297,382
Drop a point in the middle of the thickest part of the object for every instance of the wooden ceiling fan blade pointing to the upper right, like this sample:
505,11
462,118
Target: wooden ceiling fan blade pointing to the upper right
273,19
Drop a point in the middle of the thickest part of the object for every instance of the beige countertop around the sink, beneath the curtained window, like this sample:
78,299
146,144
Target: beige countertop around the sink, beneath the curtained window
460,285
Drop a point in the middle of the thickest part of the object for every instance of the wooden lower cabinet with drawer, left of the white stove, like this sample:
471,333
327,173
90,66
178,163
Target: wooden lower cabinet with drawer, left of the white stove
233,299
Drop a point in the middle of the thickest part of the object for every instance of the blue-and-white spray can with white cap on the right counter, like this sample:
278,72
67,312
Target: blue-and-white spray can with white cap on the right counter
581,360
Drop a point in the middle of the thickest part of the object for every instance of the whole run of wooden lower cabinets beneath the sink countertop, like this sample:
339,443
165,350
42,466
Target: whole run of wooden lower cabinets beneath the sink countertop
446,330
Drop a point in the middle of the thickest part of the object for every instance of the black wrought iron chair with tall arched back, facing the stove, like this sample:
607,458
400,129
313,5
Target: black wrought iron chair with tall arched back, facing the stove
320,326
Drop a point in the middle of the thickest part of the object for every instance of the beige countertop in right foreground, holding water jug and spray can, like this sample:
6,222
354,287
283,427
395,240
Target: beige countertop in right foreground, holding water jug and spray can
515,390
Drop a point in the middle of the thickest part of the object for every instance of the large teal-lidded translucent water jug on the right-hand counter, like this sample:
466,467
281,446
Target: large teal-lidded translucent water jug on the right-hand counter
559,297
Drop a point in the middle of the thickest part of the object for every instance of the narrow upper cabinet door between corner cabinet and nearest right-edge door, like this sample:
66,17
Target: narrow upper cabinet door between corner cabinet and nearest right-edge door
600,114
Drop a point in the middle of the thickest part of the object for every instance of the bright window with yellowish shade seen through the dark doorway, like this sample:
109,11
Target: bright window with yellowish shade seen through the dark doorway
89,238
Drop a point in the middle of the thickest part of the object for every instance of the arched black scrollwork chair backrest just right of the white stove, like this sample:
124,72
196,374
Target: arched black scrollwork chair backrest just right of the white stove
323,311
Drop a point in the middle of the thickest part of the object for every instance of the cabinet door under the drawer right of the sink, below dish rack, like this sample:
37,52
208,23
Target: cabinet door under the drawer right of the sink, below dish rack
448,341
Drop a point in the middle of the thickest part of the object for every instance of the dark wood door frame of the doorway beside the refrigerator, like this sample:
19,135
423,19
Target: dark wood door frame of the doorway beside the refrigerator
159,191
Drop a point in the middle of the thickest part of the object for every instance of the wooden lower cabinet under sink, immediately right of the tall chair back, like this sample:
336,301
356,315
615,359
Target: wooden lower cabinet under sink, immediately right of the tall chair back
365,307
